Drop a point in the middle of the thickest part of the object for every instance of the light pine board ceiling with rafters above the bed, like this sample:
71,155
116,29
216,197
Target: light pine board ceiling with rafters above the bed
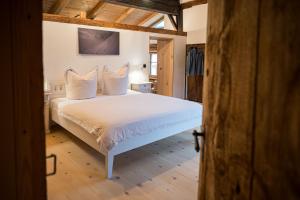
99,10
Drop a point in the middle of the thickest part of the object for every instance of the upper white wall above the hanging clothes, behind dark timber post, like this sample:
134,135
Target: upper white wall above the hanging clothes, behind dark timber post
194,23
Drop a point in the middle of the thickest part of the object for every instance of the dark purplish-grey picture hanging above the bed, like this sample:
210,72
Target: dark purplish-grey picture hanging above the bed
98,42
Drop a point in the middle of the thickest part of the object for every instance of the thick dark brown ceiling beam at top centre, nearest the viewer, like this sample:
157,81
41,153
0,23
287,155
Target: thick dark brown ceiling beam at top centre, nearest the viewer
160,6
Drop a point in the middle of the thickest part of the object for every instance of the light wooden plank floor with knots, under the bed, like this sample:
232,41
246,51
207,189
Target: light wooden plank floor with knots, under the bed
167,169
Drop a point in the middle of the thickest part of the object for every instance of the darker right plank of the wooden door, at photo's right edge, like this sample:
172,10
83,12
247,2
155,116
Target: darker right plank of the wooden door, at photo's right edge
277,125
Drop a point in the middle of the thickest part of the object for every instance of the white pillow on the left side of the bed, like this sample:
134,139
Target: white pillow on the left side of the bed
81,87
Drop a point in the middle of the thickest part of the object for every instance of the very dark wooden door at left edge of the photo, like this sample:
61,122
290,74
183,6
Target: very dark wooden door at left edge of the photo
23,138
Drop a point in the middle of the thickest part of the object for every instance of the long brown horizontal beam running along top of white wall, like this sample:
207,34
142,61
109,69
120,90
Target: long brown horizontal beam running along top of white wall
62,19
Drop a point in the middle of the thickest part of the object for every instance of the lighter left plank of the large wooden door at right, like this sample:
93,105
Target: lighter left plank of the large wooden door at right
229,99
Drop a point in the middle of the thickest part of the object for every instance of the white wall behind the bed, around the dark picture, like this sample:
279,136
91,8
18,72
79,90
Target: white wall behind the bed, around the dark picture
60,51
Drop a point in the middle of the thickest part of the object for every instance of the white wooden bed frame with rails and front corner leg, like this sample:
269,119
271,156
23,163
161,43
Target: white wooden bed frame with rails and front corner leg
122,147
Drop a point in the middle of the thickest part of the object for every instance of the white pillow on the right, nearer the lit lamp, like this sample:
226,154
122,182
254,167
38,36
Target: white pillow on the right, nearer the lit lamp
115,82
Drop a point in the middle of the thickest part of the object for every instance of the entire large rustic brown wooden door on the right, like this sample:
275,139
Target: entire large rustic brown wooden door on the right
251,101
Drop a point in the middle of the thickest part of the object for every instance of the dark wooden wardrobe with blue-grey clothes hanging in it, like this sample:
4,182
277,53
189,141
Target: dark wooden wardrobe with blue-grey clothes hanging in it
194,72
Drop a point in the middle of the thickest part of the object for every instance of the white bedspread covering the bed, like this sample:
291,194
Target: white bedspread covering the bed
113,119
